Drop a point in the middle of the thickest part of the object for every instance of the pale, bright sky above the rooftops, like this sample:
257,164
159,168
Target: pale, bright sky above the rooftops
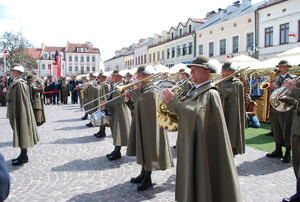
109,25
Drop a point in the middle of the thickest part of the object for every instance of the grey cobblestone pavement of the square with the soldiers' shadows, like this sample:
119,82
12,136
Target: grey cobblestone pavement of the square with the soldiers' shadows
70,164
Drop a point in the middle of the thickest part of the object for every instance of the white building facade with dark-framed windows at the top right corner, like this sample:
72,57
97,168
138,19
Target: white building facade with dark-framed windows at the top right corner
278,27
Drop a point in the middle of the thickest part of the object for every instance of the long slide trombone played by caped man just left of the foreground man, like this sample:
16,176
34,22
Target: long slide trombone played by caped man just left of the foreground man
120,90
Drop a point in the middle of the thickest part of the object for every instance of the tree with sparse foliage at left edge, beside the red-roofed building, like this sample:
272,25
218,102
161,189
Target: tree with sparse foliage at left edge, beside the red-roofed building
17,47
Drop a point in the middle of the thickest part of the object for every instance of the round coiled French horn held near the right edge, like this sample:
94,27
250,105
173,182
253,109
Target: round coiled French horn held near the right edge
279,98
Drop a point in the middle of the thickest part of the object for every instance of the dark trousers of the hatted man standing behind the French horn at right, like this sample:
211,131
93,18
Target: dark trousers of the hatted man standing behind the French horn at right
281,126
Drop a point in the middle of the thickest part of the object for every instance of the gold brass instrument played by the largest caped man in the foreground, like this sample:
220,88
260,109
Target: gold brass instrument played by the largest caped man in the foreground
169,120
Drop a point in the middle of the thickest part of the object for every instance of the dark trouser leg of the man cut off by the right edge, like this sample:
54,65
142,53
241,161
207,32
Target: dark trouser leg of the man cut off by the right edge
295,143
